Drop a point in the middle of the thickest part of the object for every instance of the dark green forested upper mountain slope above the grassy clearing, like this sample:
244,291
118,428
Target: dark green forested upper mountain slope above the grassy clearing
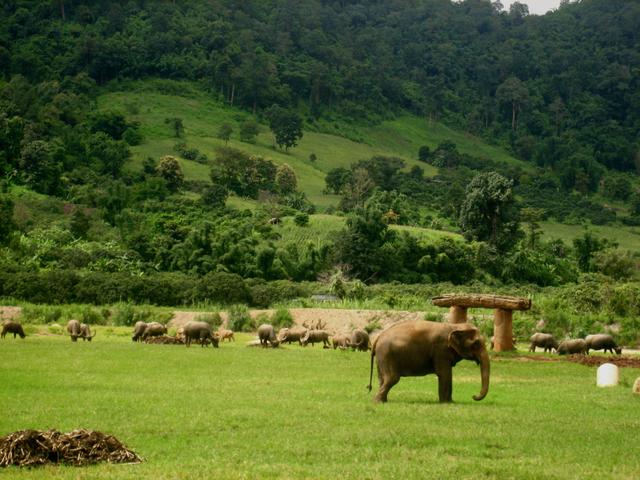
559,89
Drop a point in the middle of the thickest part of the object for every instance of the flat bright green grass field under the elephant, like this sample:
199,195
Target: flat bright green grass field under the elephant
239,412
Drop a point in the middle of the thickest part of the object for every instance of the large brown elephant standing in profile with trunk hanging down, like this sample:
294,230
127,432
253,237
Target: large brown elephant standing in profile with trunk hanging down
418,347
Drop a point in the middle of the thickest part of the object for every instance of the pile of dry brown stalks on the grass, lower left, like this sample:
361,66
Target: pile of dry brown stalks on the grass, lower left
28,448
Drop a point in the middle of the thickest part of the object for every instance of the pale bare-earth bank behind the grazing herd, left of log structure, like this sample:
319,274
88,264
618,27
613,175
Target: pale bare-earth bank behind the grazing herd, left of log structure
336,320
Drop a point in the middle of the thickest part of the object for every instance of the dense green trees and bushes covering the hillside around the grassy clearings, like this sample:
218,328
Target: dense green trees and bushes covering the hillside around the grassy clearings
559,91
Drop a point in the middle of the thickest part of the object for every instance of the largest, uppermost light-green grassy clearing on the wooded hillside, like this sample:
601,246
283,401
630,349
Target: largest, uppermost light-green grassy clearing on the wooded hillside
202,117
